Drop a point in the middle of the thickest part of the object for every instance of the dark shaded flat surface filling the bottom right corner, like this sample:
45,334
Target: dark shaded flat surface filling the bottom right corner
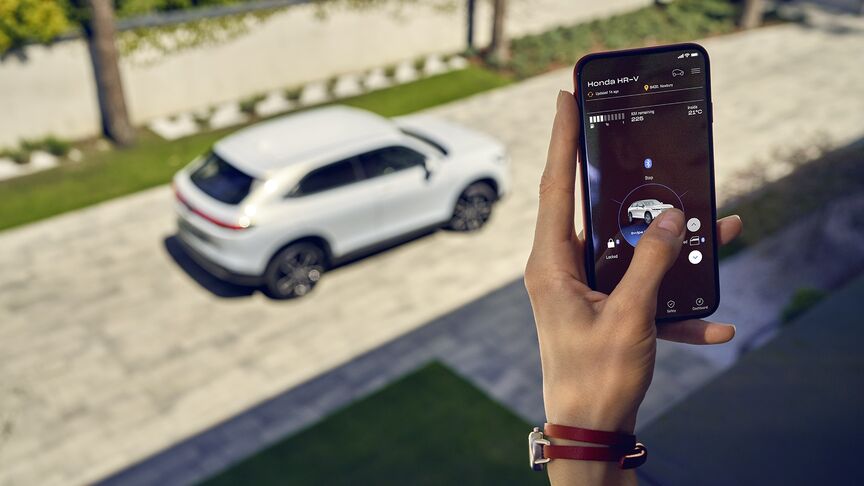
789,413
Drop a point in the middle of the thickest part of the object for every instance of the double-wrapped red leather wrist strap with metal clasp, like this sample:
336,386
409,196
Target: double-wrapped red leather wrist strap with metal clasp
621,448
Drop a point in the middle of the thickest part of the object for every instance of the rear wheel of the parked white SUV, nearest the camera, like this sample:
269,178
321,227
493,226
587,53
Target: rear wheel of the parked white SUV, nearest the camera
294,270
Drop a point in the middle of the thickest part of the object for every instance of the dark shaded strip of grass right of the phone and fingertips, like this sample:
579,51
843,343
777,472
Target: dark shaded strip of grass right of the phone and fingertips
809,187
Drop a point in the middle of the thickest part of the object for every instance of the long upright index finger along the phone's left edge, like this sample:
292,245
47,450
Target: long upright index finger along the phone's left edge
558,183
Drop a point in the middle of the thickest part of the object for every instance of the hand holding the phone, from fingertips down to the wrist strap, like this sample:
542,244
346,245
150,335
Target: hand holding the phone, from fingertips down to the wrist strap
597,350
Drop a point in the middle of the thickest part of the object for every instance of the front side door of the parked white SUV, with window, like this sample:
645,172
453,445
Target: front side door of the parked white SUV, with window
406,198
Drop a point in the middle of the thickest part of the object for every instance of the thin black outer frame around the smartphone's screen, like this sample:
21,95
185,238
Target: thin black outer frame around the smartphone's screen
583,170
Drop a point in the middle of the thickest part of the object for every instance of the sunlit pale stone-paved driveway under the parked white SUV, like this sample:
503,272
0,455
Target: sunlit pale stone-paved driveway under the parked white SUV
110,351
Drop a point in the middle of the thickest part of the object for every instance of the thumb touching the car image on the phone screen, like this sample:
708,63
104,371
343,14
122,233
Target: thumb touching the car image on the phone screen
655,253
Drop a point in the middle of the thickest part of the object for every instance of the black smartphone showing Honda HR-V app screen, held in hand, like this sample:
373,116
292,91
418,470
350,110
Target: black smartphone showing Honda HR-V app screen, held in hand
646,146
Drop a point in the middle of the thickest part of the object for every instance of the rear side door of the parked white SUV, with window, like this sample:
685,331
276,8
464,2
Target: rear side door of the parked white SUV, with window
335,202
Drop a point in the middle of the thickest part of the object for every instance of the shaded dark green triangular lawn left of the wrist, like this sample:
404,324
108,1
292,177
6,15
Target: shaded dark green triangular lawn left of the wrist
430,427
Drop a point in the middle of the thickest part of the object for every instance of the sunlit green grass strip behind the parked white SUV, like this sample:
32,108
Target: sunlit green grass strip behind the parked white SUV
109,174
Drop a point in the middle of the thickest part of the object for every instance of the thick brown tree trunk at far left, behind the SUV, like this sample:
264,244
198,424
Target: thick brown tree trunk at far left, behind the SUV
100,32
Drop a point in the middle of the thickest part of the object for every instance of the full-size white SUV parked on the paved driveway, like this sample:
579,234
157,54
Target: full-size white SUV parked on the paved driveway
278,203
